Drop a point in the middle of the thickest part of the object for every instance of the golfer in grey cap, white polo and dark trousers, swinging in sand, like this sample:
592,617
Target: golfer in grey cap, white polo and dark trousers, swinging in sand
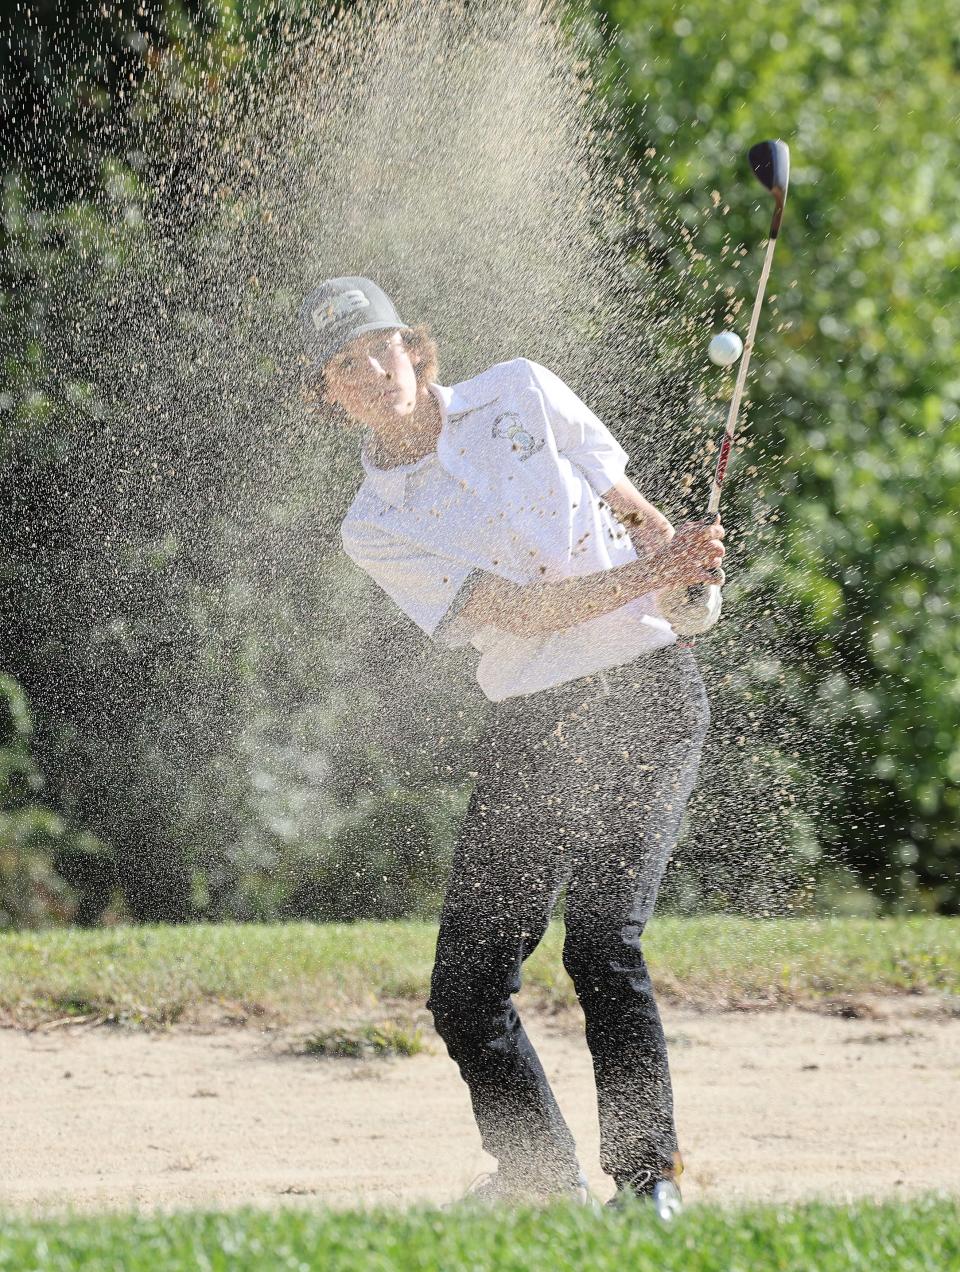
497,515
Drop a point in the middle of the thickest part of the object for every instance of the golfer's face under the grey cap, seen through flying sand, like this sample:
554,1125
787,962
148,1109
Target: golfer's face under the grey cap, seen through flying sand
373,380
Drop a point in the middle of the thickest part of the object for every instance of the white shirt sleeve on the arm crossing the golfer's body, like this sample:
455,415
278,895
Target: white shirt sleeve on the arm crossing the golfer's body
428,587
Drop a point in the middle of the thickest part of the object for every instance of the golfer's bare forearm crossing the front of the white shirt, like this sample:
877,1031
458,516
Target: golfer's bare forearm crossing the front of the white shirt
541,609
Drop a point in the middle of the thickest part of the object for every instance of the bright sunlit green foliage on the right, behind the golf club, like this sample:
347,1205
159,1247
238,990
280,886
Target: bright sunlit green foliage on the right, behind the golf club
855,418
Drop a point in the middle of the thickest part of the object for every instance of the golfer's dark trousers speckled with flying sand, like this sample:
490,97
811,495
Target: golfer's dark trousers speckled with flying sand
582,787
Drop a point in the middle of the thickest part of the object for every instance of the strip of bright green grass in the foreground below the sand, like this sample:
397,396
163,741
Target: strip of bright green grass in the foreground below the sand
916,1237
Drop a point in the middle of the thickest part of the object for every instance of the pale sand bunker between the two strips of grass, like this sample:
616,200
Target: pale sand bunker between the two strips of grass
771,1106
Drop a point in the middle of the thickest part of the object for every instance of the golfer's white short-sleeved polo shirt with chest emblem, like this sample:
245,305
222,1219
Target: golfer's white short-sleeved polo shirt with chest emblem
514,490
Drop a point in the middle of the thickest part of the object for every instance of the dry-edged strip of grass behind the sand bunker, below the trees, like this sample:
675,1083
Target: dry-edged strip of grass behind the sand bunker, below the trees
157,976
